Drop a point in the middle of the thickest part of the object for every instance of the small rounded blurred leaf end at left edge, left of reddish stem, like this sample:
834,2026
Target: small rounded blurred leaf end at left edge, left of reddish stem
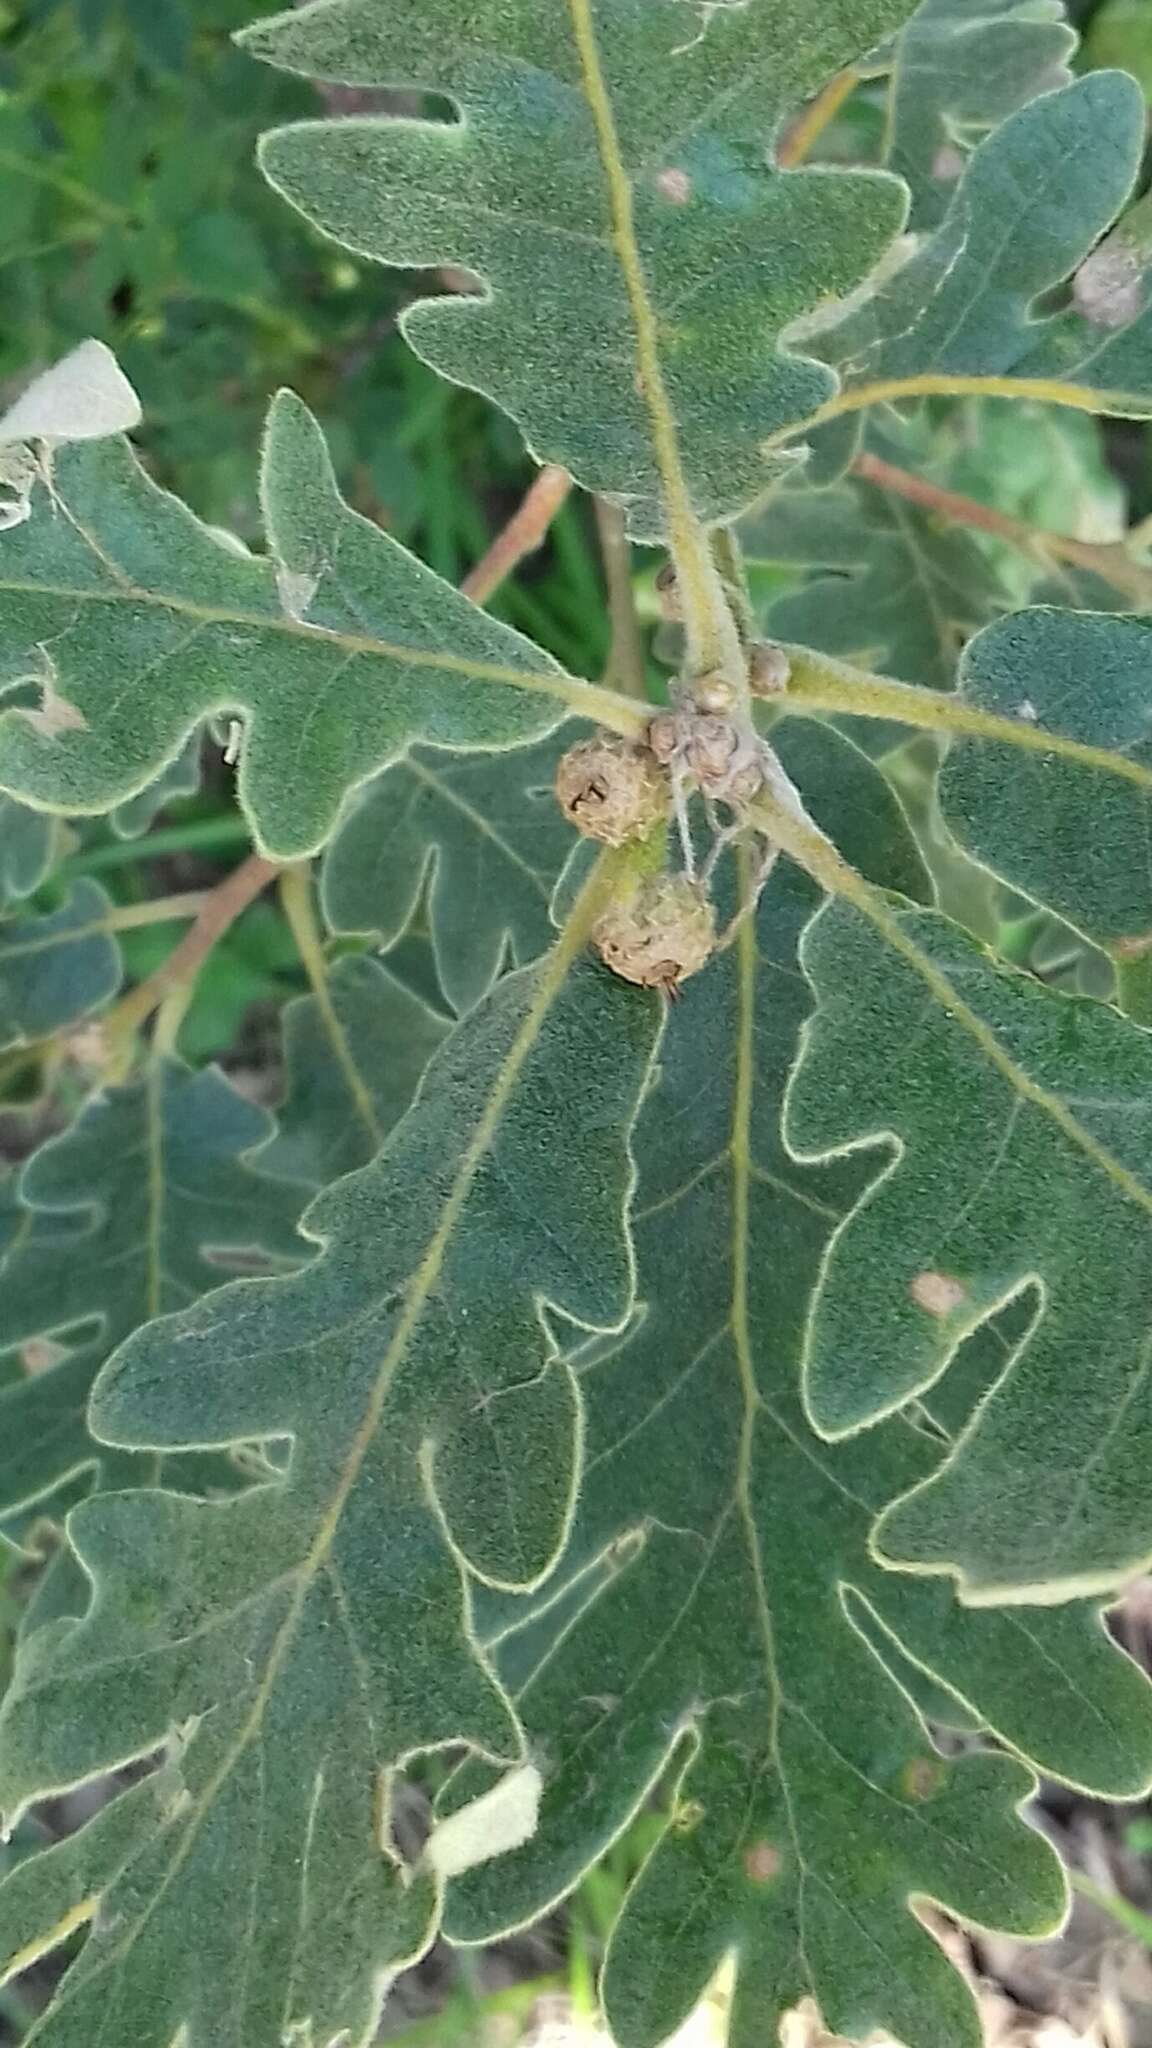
56,970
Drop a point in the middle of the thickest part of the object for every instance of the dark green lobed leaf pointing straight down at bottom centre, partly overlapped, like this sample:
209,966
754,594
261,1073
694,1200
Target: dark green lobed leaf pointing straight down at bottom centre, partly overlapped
727,1558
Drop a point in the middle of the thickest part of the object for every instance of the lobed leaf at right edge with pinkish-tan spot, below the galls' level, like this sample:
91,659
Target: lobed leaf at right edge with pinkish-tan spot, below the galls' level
1010,1127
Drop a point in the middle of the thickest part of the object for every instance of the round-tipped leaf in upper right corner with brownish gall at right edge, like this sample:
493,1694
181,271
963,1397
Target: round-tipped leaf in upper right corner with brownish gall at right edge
1036,198
